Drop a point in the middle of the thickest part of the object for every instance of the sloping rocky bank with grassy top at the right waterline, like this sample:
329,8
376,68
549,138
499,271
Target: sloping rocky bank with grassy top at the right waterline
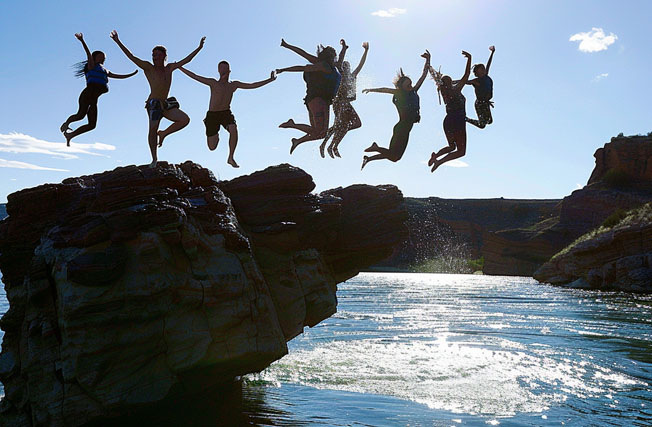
617,258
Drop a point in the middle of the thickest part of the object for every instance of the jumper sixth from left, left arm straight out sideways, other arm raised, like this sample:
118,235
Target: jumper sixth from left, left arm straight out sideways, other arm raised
406,99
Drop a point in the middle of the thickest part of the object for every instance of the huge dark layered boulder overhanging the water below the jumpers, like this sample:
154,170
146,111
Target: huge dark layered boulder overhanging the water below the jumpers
138,285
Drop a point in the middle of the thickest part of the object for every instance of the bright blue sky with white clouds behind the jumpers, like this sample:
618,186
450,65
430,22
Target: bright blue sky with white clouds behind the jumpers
557,100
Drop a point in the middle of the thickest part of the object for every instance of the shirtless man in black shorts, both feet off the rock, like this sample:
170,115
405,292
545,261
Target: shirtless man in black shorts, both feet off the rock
219,108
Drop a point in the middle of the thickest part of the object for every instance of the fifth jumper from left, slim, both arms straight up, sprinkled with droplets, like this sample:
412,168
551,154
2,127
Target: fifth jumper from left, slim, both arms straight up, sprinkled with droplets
346,117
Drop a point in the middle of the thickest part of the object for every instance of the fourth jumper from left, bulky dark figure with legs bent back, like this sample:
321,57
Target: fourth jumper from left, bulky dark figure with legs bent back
322,82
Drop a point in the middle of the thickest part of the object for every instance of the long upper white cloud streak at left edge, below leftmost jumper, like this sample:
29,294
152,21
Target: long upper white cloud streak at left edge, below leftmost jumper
19,143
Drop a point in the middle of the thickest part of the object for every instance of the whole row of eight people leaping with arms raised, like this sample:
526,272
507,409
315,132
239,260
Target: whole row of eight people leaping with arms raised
329,81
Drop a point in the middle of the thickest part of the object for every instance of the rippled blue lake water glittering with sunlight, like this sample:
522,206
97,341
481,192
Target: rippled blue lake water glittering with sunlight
426,349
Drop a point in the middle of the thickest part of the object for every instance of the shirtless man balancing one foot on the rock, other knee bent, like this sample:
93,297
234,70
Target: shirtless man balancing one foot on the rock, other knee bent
158,105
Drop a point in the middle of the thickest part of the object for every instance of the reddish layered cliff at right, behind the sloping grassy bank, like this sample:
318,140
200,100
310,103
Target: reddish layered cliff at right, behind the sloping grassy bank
521,251
